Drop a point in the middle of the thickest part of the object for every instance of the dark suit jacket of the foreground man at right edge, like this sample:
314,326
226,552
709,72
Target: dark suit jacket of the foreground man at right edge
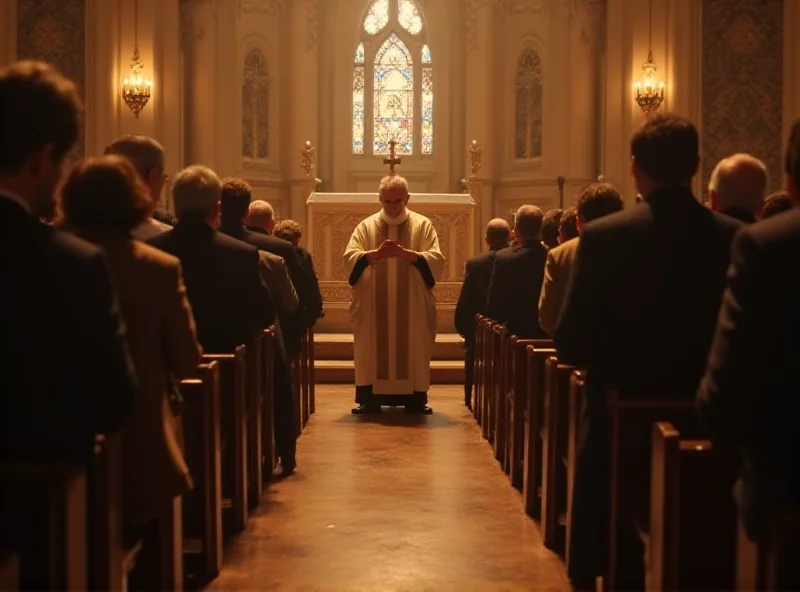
747,395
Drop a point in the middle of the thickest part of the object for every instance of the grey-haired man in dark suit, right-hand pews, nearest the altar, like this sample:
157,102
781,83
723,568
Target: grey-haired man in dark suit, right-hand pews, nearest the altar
474,291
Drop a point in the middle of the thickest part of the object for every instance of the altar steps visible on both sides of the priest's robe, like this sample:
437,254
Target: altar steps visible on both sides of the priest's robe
334,359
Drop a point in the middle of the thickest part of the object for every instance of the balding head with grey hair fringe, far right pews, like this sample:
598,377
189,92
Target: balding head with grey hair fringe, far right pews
738,184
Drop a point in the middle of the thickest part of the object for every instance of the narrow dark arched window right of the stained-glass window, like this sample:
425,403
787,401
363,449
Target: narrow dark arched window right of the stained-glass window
528,108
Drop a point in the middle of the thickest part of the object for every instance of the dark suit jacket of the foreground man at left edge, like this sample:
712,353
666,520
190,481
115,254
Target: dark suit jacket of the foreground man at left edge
65,369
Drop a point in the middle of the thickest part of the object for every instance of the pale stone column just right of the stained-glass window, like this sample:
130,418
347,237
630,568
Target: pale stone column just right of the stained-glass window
483,79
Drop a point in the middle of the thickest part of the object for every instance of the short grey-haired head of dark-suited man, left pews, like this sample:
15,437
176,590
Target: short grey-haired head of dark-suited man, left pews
196,192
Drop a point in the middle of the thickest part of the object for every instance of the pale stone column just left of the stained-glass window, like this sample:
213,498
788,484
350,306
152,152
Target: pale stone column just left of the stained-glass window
303,18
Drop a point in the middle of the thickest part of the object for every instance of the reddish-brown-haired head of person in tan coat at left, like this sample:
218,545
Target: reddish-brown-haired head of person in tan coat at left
104,194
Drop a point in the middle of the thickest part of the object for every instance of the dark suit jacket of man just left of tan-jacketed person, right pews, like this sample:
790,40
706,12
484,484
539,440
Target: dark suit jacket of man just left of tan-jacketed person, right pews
515,288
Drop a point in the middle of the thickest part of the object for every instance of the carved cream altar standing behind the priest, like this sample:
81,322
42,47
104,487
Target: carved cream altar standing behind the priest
331,219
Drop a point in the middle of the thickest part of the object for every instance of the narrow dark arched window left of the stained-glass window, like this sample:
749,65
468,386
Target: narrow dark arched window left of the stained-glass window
255,107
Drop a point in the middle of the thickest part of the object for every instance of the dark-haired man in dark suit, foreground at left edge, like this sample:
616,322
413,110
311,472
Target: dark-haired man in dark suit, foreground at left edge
65,370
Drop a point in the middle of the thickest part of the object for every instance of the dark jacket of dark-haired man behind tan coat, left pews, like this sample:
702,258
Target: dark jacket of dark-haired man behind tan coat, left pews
295,324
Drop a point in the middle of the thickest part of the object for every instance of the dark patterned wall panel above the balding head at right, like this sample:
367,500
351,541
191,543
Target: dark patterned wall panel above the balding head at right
742,91
